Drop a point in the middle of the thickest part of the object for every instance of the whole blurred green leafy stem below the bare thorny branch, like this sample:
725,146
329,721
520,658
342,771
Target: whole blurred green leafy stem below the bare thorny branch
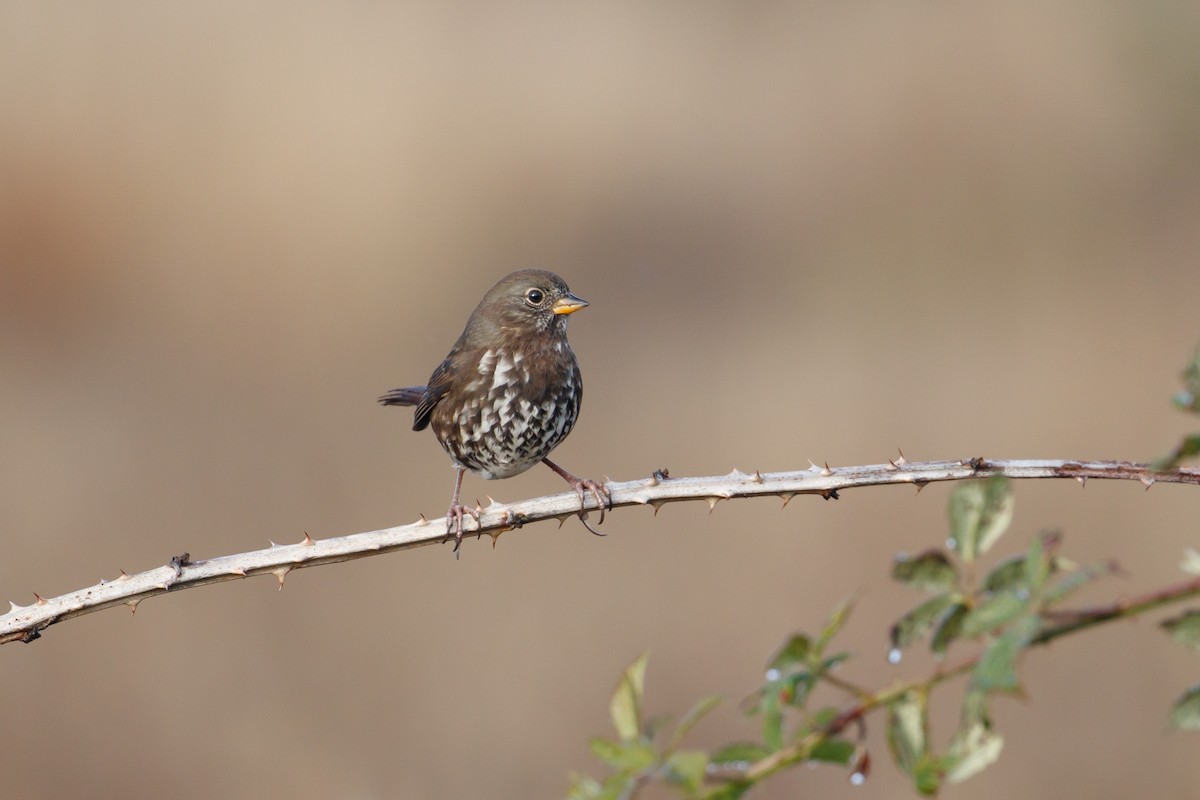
994,613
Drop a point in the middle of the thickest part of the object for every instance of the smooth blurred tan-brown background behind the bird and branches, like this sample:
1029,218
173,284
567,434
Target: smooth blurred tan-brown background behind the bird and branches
807,231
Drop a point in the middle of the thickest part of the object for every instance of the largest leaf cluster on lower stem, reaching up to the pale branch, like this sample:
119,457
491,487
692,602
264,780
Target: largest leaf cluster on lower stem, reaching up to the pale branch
1006,612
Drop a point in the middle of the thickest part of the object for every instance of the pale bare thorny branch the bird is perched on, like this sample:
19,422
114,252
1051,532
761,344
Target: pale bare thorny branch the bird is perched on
26,623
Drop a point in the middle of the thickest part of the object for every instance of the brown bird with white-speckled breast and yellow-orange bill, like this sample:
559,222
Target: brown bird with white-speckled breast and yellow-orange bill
509,390
